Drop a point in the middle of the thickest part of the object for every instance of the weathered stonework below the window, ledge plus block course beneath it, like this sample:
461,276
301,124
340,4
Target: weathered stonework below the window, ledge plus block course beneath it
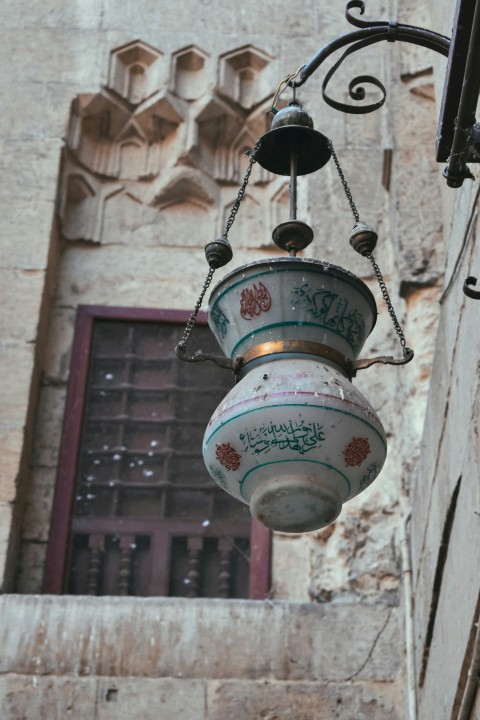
200,659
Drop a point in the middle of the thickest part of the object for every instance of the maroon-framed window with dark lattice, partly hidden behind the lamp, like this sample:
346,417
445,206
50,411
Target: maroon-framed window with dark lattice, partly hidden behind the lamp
135,511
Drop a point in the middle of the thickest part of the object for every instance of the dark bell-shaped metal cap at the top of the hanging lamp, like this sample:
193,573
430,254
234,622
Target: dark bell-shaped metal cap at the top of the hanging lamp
292,133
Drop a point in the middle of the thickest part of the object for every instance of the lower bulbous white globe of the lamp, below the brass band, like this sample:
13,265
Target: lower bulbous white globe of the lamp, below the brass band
294,439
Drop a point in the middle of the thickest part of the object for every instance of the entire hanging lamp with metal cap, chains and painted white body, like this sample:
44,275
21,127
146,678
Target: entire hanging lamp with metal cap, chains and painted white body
294,438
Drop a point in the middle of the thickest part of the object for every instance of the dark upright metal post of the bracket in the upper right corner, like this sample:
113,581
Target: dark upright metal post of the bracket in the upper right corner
456,170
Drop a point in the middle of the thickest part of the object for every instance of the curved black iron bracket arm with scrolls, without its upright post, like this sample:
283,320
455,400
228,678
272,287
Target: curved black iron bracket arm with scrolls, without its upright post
368,34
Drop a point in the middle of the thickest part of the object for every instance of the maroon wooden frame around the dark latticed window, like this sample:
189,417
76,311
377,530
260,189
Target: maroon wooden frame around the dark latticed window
61,522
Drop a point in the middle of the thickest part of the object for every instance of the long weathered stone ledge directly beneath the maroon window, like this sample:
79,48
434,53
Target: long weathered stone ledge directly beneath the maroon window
216,639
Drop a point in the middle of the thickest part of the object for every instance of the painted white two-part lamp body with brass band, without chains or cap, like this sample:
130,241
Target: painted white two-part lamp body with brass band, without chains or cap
294,438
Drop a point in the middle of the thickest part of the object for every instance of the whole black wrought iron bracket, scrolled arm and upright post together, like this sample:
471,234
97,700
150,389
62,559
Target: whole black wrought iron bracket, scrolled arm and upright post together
458,137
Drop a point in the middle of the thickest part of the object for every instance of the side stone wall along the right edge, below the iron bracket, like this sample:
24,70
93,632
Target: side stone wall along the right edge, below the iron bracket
445,527
